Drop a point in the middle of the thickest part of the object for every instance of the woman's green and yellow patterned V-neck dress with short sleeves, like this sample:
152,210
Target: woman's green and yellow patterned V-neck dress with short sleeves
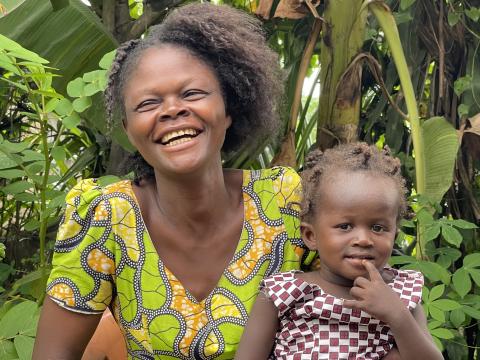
104,257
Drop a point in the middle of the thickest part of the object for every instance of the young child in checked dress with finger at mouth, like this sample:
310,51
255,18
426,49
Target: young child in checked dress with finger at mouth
354,306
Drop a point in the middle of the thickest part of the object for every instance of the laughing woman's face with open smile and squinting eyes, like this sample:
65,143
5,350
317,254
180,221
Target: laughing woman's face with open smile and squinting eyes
175,113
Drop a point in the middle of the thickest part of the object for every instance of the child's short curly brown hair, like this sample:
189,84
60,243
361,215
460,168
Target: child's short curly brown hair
349,157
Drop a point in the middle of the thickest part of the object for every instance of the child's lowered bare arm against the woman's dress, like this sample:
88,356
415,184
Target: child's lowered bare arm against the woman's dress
259,334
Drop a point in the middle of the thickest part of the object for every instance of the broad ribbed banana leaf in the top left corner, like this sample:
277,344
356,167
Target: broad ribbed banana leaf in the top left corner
71,37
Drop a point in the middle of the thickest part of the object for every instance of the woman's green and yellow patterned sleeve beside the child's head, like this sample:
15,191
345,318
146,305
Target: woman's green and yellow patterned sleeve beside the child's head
288,189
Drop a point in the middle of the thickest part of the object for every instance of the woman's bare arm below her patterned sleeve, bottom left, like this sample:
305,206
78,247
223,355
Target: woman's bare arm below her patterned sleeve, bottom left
62,334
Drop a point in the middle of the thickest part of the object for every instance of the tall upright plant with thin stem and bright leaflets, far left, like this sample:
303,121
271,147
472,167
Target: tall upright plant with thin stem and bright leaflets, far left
30,177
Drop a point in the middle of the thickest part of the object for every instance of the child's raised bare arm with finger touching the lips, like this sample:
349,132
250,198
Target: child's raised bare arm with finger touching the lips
409,328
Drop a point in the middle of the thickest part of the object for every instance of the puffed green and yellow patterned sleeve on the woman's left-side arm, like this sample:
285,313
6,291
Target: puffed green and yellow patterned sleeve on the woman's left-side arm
83,265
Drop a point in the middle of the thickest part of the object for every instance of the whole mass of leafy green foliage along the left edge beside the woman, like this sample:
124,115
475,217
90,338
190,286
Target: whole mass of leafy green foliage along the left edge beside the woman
38,165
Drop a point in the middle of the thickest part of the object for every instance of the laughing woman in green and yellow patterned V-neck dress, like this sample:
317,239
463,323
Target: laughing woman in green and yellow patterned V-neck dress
179,253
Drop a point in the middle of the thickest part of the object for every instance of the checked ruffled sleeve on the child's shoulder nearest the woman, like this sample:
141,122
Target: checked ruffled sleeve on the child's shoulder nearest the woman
285,290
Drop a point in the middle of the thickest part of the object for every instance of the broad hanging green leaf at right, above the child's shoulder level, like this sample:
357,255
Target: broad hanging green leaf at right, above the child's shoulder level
441,146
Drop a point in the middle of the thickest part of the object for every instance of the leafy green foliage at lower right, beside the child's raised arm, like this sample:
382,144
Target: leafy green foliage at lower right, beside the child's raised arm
449,296
